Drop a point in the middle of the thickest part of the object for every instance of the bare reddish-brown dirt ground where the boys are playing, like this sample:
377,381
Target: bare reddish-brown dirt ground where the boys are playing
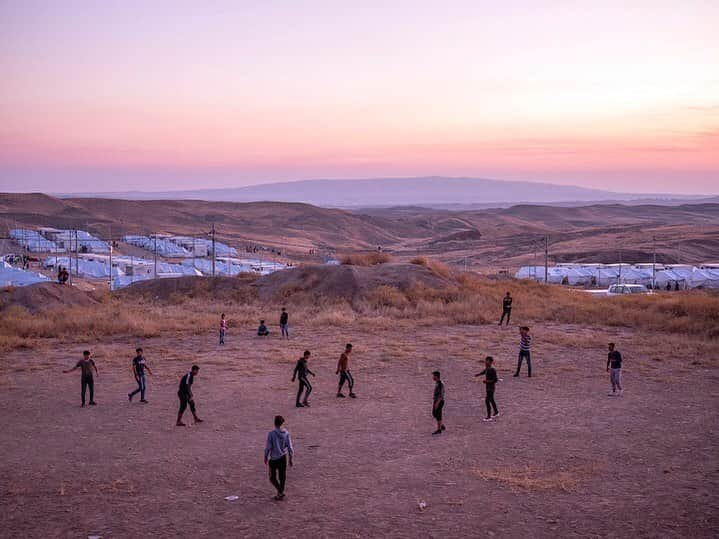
563,459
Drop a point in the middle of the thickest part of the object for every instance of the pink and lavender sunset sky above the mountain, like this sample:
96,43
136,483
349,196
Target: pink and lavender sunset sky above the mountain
158,95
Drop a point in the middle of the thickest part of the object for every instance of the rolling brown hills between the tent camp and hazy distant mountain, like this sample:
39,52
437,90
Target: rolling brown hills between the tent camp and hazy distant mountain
486,239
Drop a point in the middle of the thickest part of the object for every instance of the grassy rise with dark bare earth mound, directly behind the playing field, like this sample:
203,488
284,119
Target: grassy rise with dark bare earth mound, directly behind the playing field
426,294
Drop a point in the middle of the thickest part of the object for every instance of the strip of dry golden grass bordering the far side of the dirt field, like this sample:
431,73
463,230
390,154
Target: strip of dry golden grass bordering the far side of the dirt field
471,300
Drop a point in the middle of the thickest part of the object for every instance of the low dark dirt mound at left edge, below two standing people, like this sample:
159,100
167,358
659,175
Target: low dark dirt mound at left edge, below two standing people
45,296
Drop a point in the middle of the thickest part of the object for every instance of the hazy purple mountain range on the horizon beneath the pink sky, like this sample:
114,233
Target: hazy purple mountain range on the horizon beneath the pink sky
438,192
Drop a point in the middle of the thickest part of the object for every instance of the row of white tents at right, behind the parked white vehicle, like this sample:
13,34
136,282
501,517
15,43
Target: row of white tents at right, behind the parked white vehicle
685,277
